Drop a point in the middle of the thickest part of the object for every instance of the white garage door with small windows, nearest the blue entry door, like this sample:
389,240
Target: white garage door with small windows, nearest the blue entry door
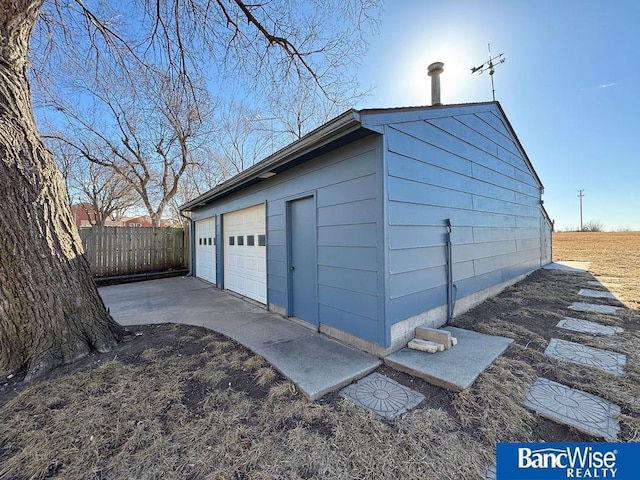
245,252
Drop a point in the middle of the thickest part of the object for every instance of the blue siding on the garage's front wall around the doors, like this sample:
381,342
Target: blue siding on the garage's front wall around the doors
344,183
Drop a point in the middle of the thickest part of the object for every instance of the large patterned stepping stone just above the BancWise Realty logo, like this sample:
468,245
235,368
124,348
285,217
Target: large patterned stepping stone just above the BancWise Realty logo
562,404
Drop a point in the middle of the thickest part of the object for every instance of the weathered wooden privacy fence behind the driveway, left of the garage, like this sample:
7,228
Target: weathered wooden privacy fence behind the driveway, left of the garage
115,251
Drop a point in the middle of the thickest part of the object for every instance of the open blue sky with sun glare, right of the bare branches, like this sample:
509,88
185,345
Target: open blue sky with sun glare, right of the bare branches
570,87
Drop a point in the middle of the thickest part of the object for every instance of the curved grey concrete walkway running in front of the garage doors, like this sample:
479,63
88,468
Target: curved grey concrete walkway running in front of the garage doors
314,362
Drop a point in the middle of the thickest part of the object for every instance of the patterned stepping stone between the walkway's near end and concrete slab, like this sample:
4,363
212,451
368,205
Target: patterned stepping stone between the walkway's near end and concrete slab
382,396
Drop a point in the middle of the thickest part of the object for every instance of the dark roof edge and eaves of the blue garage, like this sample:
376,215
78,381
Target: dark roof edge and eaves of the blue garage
345,128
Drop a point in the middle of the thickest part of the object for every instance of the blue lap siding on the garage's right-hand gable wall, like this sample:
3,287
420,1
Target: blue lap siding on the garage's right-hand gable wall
465,167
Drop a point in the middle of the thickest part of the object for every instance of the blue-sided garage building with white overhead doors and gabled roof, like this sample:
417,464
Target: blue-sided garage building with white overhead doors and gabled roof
357,214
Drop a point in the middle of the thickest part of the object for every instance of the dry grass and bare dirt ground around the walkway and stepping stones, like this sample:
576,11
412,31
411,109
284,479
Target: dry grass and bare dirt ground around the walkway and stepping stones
182,402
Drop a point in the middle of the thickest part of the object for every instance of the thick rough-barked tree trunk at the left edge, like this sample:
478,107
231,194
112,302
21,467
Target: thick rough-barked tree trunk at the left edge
50,310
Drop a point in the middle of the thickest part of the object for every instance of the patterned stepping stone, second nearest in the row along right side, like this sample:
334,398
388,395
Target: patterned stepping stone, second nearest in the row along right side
592,357
